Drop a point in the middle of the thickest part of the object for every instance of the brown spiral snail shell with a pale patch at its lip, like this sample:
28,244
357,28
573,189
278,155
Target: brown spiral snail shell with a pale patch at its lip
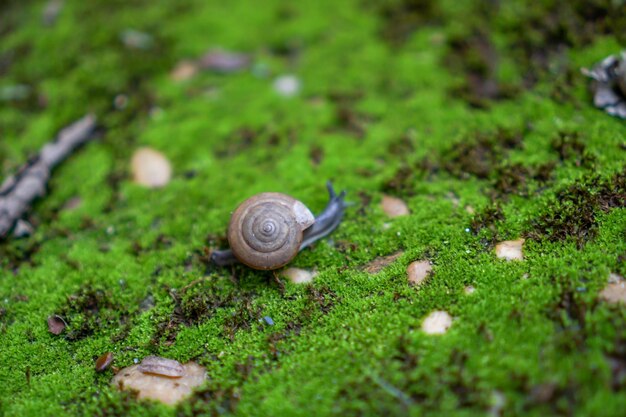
265,231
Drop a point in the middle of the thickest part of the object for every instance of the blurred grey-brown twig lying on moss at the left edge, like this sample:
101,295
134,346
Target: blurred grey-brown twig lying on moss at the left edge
18,191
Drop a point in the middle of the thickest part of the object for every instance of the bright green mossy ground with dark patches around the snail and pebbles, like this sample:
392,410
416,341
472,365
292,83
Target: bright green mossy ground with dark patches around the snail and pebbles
441,104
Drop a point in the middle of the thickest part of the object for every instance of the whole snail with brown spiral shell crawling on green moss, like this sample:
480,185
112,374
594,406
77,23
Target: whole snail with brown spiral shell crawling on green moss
269,229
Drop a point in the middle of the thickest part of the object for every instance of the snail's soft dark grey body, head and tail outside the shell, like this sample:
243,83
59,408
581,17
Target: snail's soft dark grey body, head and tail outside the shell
324,224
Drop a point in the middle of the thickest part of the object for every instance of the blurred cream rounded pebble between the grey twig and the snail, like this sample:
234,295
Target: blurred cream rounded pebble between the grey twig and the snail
150,168
